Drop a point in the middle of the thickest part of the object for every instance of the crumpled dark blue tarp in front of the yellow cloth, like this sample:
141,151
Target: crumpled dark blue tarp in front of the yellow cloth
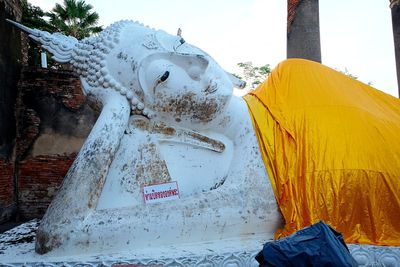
315,245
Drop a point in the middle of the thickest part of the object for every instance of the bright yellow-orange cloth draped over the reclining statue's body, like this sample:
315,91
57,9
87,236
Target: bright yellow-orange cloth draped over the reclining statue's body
331,146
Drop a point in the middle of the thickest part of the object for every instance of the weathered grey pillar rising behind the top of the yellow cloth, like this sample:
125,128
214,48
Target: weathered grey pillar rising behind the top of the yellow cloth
303,37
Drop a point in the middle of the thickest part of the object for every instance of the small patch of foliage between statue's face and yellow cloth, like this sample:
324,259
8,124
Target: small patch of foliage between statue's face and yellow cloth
253,75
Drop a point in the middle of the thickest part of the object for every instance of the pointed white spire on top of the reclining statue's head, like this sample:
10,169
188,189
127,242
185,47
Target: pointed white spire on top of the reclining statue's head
61,46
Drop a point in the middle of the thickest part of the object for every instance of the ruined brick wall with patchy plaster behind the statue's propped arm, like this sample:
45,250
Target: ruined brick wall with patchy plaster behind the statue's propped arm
53,121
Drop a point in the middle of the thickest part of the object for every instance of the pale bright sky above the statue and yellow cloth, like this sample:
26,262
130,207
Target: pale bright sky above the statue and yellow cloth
355,34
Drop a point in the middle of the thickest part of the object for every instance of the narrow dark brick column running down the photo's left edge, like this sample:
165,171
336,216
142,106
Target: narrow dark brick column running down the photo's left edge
10,64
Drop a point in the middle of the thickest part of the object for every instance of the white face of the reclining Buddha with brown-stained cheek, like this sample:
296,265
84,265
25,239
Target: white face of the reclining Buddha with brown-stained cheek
183,85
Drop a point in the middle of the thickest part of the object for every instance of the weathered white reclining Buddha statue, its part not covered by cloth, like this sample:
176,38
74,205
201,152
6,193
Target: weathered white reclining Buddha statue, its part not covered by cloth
168,117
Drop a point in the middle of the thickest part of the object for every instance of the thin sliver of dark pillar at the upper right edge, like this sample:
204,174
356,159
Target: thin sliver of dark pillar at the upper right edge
395,6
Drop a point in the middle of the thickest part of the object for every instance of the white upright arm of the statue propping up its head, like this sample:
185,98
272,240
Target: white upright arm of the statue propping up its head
84,181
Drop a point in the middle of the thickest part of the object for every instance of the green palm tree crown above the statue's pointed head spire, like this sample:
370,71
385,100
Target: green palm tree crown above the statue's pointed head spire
74,18
